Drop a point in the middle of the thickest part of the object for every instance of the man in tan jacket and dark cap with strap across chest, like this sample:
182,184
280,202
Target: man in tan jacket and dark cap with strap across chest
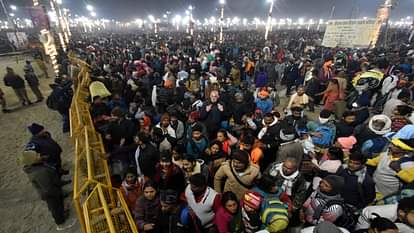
239,174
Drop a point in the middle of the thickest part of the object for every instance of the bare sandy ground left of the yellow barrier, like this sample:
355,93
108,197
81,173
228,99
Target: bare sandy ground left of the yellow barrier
21,210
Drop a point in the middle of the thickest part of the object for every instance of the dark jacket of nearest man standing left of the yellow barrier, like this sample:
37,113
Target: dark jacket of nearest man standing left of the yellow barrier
45,179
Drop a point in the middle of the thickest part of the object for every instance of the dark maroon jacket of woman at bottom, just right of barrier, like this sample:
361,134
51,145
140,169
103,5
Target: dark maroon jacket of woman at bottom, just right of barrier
147,212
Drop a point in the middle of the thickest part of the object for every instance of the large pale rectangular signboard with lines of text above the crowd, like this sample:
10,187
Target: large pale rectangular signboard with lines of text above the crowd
353,33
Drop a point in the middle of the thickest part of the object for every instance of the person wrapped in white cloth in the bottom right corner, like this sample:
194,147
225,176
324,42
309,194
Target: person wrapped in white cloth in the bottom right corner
402,214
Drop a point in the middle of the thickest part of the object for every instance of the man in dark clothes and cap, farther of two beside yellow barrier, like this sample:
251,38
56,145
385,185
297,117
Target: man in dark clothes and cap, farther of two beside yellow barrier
43,144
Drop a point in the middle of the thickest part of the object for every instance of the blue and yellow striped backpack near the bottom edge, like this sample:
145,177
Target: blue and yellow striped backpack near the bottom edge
271,209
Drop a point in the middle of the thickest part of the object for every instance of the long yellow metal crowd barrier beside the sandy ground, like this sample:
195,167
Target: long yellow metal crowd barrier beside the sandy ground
100,207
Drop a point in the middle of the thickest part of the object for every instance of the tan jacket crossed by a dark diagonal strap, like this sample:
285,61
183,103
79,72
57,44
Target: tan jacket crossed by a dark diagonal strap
232,184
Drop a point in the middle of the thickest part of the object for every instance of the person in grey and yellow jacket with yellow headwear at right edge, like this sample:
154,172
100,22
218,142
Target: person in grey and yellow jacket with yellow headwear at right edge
394,167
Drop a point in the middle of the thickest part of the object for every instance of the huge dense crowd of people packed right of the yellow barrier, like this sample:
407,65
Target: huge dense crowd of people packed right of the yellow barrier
200,136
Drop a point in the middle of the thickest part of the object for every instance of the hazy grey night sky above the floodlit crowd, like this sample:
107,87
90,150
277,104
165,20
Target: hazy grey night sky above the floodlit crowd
131,9
